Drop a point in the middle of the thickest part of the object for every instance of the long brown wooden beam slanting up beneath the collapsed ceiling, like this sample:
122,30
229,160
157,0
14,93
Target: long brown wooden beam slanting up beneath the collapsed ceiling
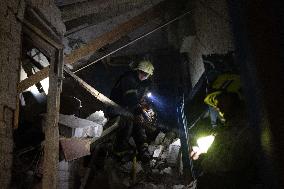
115,34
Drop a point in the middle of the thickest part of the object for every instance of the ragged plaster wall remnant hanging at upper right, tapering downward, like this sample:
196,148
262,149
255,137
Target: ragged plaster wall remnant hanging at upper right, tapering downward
211,23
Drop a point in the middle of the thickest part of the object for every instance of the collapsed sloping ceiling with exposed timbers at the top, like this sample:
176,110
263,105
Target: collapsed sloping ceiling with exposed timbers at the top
95,28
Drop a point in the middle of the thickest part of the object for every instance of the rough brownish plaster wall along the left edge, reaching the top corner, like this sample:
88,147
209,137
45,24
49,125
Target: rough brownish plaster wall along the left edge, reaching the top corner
11,18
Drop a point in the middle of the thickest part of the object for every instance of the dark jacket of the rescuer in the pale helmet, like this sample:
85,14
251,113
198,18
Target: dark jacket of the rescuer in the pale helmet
129,90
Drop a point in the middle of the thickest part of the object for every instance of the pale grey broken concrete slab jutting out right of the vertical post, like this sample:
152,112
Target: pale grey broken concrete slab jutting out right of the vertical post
82,127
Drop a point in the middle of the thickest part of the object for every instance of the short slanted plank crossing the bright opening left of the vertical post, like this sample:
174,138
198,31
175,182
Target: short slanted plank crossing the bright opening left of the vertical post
33,79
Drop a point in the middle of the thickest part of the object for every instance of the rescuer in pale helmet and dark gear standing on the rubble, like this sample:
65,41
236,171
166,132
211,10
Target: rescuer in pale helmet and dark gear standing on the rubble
128,92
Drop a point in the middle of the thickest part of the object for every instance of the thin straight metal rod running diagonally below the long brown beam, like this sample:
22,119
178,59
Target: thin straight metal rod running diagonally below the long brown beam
133,41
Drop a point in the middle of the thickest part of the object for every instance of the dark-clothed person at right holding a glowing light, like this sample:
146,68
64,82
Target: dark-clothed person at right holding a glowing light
230,161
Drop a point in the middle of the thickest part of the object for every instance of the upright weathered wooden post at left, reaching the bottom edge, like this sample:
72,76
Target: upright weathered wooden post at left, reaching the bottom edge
51,143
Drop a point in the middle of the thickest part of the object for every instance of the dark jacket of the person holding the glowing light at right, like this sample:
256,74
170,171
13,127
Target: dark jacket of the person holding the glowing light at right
231,160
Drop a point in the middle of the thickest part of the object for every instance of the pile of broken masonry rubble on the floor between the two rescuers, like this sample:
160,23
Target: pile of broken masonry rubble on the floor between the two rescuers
162,172
